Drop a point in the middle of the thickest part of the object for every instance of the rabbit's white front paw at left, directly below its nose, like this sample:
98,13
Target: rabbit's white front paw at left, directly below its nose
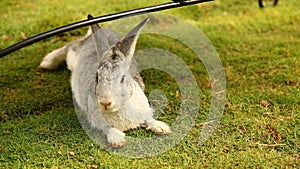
116,138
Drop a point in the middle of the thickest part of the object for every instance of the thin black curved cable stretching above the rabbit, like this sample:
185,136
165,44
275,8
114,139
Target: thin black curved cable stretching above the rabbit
105,18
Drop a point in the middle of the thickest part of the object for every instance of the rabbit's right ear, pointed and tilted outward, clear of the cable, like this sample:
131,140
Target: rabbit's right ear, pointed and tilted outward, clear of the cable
128,43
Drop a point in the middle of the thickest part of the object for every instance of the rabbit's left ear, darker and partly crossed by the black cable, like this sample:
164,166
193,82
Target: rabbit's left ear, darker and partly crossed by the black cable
100,39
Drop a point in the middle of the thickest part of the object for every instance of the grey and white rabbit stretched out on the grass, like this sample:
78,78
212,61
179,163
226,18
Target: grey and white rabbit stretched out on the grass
106,83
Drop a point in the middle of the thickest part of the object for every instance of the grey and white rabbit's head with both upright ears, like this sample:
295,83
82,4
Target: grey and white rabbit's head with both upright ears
114,84
